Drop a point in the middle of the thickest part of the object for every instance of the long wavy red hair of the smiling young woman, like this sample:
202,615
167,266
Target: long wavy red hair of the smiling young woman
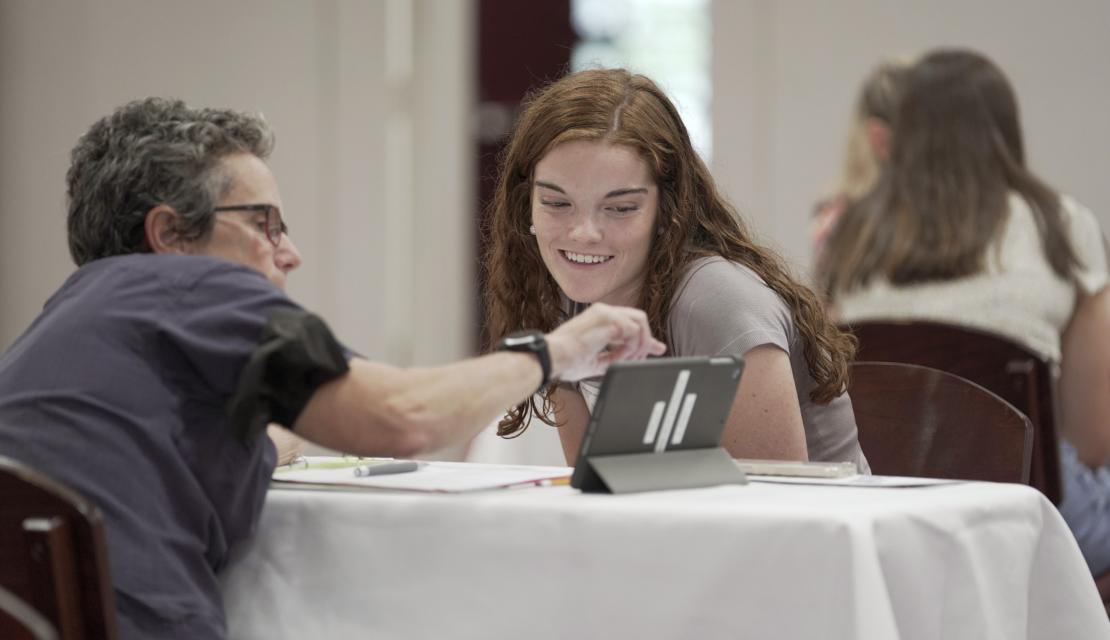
694,220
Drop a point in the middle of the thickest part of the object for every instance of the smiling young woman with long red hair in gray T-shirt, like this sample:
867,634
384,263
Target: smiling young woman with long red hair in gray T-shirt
602,199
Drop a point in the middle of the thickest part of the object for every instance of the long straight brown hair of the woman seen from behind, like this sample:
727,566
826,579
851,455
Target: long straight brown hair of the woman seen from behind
956,155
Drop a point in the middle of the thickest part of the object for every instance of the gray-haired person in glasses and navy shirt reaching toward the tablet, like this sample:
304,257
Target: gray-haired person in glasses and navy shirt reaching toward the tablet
149,380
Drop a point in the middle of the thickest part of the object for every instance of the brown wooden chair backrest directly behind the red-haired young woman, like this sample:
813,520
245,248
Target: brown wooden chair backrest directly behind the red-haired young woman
922,422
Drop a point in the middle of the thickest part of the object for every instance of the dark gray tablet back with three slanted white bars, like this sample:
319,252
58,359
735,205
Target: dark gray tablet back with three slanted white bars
660,405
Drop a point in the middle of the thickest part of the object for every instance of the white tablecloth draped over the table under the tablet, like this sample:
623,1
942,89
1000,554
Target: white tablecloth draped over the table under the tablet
966,561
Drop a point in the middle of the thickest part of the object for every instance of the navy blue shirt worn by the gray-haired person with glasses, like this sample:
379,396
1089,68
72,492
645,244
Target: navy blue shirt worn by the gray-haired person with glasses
119,390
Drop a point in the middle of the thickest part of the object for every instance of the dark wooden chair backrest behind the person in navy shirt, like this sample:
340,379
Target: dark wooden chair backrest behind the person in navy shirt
53,553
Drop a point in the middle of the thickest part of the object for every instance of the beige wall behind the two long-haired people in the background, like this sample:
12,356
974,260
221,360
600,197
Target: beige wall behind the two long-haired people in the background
786,74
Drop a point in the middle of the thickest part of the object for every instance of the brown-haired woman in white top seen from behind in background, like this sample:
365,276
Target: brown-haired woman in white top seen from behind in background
958,230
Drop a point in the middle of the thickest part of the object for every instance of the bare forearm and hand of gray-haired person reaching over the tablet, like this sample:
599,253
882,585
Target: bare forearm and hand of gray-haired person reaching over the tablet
381,410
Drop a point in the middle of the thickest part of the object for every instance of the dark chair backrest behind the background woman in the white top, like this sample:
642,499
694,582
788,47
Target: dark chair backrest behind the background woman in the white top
1022,378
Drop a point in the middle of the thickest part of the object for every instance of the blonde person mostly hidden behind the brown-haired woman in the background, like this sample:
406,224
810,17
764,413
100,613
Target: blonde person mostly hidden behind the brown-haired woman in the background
869,146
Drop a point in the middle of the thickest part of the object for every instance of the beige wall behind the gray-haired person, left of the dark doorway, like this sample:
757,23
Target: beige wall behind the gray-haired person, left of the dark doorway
361,94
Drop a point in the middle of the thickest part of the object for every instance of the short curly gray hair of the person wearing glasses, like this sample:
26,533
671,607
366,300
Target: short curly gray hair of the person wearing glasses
150,153
